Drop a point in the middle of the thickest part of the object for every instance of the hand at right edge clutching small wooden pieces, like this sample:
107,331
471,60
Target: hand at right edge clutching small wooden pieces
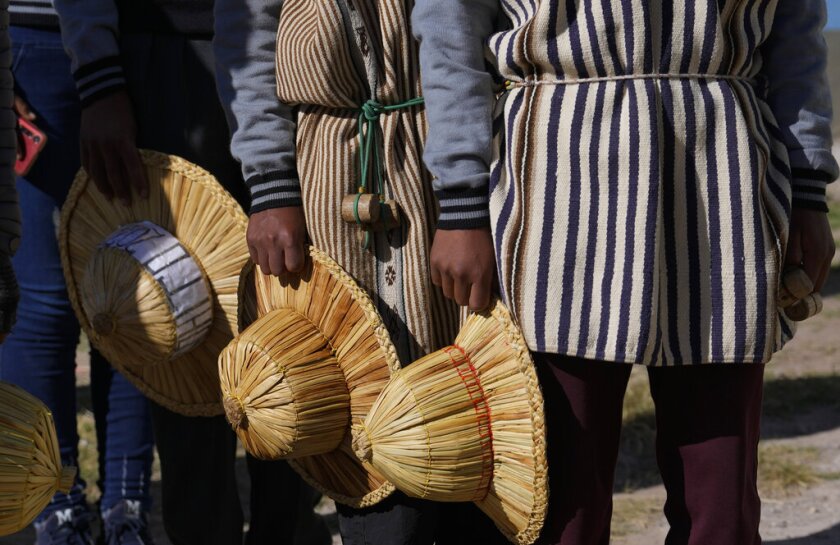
811,245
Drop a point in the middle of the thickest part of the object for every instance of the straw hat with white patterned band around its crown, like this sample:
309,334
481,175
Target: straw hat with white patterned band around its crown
155,284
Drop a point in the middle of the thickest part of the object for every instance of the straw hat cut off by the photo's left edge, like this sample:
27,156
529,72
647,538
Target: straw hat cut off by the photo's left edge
30,465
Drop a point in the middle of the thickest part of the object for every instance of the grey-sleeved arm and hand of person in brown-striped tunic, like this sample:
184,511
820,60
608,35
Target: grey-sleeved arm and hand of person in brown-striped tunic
263,130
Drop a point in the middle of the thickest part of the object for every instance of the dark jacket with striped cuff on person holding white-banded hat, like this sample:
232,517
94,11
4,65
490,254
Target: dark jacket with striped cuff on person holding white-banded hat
91,30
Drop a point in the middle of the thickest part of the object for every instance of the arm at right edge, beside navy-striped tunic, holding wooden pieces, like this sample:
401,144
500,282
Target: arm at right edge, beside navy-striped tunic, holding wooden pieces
794,66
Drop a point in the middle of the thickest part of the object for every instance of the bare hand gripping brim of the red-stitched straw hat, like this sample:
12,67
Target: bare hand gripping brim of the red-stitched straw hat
463,264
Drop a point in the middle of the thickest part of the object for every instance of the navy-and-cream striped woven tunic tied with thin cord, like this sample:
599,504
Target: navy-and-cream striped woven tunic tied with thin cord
641,188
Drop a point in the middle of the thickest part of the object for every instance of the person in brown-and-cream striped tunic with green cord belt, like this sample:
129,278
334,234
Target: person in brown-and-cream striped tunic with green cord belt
324,102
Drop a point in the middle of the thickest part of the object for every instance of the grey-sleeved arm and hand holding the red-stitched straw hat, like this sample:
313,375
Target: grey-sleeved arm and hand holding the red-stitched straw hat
459,104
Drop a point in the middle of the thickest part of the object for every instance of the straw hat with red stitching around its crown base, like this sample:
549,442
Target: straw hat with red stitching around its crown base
466,423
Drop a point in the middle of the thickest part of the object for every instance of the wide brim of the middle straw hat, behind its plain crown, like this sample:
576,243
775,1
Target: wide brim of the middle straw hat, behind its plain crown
324,294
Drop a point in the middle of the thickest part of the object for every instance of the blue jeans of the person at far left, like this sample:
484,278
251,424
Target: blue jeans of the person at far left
40,353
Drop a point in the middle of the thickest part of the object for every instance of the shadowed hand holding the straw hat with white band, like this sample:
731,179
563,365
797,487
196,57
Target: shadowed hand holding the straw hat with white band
109,152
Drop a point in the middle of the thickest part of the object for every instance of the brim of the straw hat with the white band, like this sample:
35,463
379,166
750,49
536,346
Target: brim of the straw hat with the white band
188,202
